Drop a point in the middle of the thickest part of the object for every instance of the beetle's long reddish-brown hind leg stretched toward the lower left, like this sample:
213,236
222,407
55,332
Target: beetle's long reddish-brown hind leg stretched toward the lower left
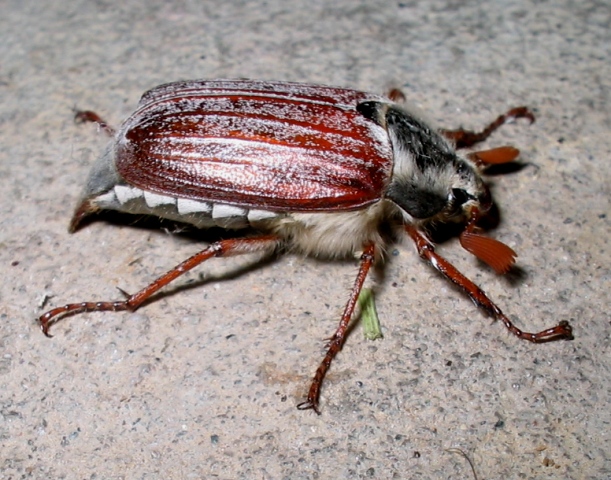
222,248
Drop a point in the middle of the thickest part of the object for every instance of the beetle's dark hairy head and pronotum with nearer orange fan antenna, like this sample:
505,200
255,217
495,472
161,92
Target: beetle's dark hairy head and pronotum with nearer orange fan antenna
431,183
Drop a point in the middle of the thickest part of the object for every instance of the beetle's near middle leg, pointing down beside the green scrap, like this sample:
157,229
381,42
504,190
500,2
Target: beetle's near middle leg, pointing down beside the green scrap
337,340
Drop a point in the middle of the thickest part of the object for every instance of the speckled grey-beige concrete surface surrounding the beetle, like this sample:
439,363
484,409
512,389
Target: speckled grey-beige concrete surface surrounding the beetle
203,383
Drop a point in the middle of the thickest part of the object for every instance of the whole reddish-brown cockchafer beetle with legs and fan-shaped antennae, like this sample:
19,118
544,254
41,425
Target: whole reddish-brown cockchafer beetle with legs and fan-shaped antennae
308,168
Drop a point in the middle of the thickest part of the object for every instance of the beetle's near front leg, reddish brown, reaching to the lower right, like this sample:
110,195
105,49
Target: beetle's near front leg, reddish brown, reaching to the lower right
426,250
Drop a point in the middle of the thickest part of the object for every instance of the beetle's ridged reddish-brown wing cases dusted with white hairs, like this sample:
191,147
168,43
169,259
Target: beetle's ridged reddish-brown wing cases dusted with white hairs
272,145
